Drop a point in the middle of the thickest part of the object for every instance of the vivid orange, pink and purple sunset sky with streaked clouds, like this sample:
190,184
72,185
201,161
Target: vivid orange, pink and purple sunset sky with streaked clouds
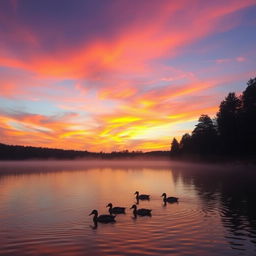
111,75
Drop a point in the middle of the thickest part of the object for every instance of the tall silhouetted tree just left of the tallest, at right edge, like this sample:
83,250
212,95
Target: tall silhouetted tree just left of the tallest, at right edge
228,121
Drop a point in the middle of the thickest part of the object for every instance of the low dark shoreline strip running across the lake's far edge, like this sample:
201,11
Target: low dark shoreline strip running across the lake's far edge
25,153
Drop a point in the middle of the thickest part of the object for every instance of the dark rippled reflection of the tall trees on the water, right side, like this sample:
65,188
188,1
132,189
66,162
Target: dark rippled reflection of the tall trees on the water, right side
231,190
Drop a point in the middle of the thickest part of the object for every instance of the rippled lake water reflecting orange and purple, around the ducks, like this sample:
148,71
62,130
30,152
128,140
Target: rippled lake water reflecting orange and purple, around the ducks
44,209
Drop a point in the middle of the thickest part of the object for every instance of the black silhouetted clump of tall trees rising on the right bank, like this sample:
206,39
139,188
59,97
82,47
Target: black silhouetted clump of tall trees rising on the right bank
231,133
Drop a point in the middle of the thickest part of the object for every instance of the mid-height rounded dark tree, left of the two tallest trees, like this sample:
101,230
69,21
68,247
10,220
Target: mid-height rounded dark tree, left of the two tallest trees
204,136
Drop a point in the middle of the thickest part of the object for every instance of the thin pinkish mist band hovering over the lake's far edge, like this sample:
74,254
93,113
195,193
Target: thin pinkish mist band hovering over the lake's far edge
62,165
